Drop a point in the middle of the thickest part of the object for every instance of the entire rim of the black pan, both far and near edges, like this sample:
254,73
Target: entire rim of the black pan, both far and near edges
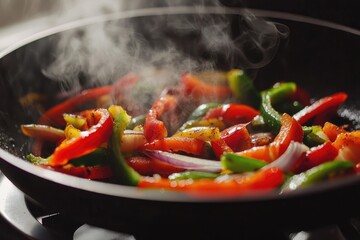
161,195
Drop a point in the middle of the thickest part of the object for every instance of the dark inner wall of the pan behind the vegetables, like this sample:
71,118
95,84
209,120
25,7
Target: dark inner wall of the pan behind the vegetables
321,59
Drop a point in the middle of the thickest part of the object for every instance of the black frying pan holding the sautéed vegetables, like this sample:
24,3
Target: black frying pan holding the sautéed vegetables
321,56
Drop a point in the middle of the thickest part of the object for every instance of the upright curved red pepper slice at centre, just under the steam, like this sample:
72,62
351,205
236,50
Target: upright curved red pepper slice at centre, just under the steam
154,128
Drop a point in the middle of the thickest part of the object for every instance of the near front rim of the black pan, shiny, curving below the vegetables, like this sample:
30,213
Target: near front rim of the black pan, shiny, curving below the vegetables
116,190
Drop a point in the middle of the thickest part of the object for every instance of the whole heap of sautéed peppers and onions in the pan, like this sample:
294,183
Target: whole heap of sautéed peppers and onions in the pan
208,133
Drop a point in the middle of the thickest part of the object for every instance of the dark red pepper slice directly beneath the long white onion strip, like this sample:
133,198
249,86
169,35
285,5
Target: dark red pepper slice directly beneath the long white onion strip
148,167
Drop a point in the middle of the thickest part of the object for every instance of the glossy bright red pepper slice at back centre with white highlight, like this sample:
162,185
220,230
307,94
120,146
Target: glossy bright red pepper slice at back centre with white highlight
232,114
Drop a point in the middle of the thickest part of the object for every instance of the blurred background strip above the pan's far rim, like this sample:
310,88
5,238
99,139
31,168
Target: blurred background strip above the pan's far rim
15,11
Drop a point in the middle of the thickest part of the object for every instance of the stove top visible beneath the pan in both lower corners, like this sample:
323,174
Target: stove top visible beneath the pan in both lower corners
32,221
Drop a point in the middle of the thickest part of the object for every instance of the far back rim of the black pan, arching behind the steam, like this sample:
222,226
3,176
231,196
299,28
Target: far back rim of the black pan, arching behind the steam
180,10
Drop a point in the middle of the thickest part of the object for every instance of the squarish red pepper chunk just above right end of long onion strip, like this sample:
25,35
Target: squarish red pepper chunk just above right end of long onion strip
237,137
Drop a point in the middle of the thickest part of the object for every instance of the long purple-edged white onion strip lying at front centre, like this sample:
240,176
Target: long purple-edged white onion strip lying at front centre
186,162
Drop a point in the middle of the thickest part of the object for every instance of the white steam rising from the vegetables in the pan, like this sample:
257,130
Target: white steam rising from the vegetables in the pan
168,44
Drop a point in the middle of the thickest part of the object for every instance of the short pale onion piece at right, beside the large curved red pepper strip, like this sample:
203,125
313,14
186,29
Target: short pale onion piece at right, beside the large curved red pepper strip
289,158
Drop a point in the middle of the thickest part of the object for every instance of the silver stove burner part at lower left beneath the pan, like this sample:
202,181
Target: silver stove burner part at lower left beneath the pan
33,222
